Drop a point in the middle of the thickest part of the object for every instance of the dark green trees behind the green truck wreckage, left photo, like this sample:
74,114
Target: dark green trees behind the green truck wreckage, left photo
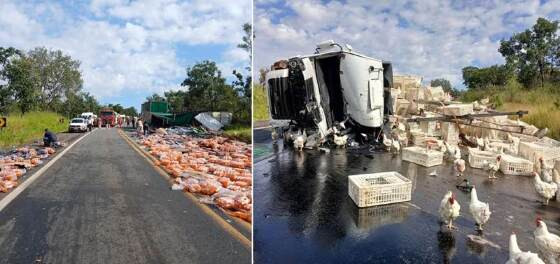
206,89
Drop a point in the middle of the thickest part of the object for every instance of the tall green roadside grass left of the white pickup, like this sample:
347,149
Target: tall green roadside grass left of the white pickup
29,127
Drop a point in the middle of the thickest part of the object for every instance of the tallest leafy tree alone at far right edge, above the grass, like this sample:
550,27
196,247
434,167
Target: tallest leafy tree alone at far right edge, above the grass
533,52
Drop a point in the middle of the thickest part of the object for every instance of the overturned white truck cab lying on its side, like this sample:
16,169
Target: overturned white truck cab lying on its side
329,92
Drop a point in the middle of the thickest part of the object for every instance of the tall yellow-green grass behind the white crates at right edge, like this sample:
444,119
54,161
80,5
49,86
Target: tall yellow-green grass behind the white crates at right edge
543,103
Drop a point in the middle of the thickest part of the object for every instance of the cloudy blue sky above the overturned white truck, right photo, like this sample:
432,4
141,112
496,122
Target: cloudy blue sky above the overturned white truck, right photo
432,39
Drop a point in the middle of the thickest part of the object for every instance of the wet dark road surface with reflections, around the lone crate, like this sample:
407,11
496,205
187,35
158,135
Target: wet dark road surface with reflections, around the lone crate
303,213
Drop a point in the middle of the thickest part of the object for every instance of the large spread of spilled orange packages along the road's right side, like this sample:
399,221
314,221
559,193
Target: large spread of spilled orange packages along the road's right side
217,169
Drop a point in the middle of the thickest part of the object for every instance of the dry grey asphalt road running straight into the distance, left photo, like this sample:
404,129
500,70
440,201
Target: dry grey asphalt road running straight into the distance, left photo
103,203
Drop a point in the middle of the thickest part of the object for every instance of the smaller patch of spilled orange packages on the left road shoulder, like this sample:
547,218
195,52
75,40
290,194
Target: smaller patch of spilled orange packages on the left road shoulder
14,164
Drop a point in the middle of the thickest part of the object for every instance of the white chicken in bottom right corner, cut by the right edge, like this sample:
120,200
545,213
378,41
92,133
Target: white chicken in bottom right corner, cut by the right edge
547,244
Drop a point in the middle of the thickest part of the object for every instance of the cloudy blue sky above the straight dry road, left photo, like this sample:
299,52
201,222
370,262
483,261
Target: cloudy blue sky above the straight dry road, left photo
131,49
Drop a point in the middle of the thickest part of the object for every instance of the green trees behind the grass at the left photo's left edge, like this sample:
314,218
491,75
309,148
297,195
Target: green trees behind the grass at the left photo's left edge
42,80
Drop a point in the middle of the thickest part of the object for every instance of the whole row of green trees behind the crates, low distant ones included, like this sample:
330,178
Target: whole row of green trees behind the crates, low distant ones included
532,59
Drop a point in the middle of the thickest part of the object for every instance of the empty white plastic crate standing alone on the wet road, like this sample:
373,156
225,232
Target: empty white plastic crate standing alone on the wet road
379,188
